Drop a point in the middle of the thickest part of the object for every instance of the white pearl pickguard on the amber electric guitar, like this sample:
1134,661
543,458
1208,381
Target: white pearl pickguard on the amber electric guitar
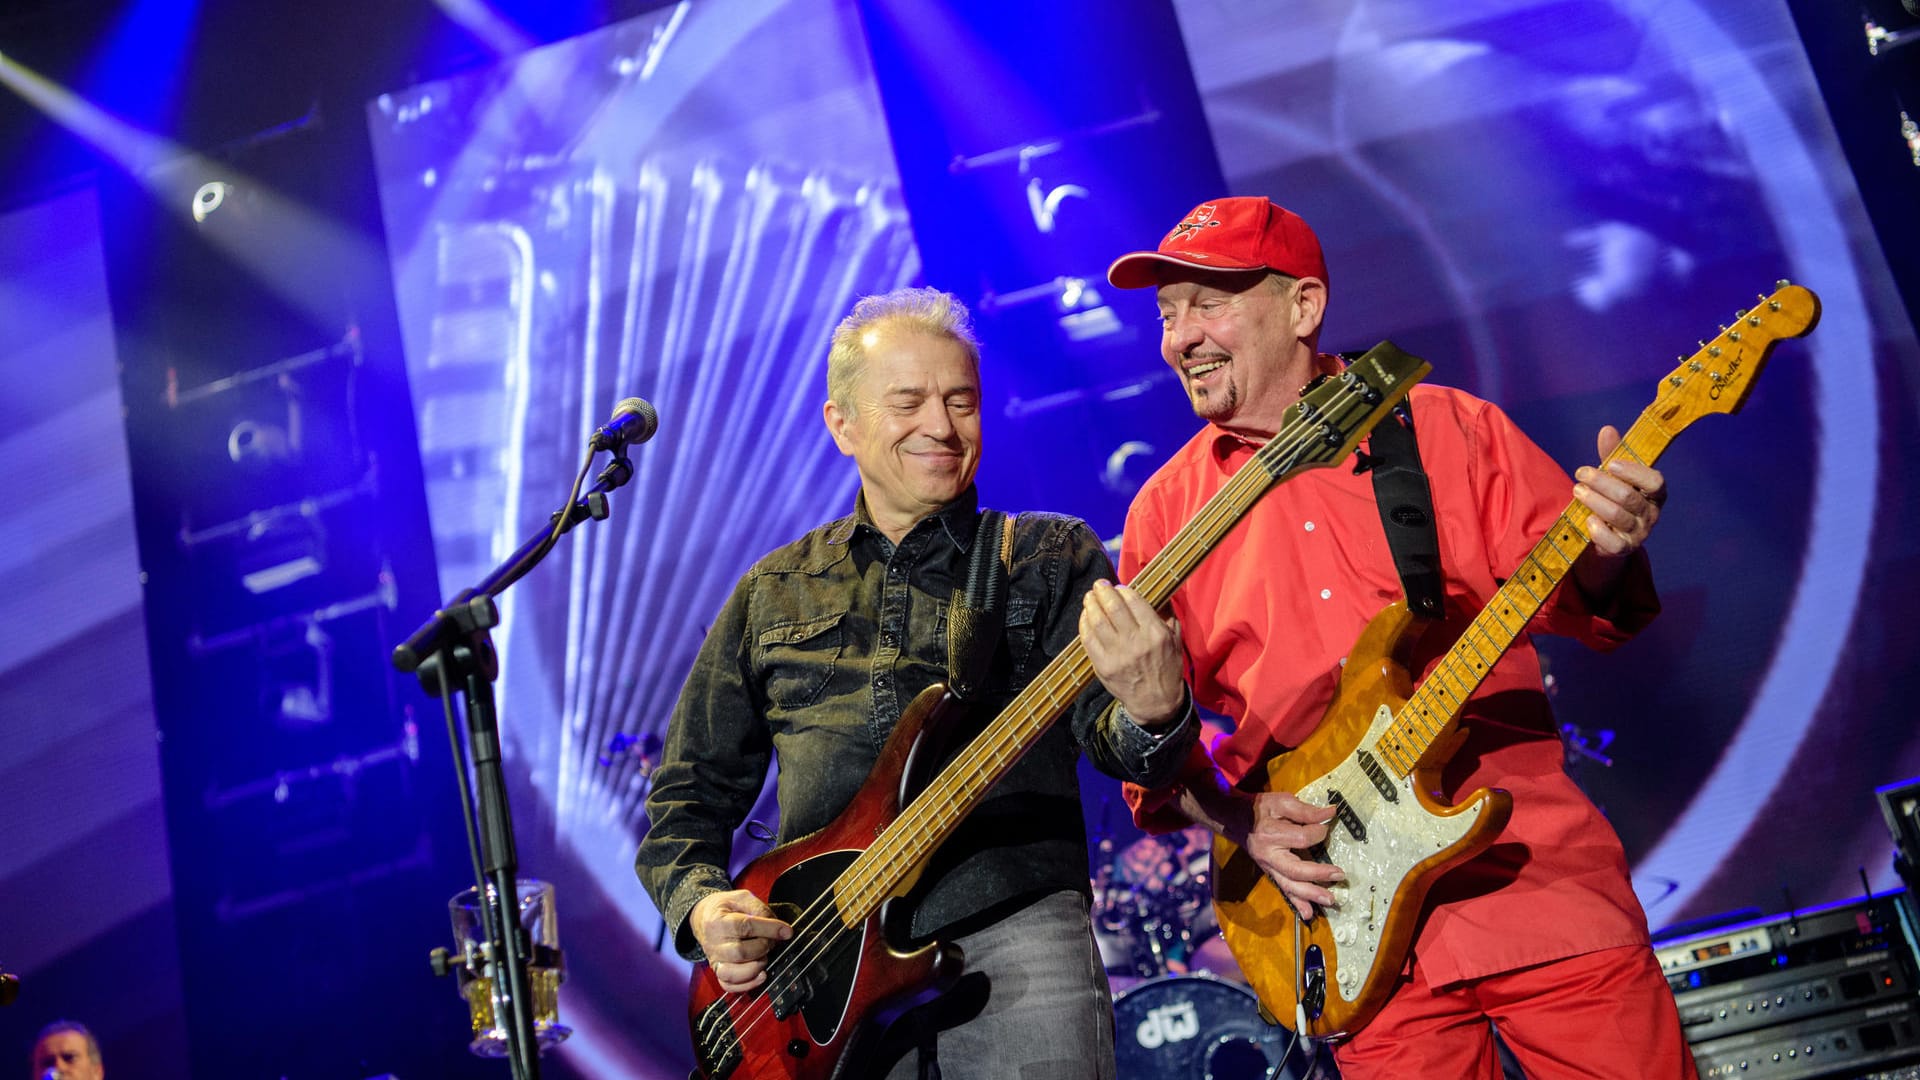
1399,835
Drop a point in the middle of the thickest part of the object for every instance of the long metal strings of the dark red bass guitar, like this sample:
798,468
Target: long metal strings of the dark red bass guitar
821,914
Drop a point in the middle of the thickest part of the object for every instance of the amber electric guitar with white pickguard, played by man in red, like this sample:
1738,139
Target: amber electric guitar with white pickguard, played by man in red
1381,747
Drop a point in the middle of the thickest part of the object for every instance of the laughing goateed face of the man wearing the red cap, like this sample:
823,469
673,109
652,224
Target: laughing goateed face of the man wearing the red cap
1243,345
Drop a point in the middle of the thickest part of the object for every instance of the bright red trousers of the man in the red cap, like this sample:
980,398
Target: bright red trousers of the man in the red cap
1596,1016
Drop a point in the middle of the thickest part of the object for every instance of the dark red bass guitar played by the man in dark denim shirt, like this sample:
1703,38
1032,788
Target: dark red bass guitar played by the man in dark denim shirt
840,971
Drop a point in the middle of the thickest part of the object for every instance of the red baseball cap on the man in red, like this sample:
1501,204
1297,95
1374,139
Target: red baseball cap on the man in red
1230,235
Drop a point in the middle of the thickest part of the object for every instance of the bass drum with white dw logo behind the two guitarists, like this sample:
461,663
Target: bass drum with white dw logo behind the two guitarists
1201,1029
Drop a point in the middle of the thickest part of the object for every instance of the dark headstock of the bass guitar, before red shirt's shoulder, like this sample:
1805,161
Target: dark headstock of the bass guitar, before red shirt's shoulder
1339,410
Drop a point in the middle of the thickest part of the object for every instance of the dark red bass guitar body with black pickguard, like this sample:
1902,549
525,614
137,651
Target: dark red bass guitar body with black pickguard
836,981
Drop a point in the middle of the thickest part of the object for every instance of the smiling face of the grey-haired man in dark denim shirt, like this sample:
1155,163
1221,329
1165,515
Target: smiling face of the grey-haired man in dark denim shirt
911,424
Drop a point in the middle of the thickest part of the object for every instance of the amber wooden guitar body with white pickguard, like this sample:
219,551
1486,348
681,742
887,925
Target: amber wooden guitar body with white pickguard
1391,835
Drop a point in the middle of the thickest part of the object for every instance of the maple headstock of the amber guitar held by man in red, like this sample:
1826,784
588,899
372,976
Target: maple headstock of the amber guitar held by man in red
1719,378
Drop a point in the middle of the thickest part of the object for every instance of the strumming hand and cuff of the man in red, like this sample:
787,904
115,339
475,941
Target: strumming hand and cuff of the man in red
1278,829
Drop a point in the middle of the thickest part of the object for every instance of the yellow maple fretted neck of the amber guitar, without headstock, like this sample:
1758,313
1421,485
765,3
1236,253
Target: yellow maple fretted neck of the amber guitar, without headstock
1435,708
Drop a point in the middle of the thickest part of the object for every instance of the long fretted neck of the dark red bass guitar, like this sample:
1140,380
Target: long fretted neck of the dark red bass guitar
932,818
